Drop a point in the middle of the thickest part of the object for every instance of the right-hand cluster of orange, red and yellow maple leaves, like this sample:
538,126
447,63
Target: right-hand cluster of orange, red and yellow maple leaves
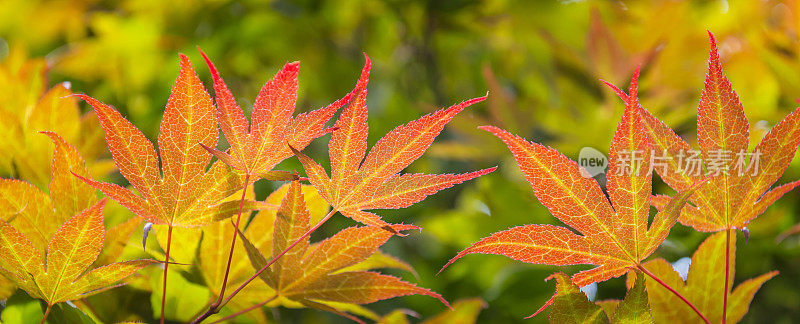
614,231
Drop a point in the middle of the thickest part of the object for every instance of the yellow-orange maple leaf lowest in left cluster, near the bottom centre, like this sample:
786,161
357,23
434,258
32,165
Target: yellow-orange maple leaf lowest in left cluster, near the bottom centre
309,274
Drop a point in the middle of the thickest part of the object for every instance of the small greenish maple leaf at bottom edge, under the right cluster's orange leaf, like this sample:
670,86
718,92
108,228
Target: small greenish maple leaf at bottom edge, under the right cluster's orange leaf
570,304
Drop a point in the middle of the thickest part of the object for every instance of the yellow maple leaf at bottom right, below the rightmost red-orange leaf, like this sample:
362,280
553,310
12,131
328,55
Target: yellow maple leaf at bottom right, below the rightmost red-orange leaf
702,285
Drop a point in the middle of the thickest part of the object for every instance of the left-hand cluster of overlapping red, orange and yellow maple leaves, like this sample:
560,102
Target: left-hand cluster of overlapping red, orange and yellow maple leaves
176,188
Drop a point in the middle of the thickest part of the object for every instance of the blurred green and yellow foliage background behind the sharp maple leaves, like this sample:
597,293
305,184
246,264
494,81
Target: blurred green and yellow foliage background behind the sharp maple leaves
540,61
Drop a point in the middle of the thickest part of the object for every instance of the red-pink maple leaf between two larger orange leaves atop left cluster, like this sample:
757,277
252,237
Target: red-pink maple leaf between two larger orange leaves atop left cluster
257,148
